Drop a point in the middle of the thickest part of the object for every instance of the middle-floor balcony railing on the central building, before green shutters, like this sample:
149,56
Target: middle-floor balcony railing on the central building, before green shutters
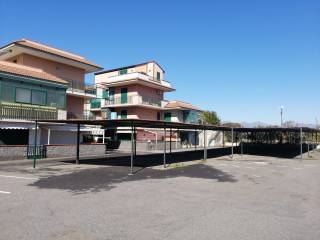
134,100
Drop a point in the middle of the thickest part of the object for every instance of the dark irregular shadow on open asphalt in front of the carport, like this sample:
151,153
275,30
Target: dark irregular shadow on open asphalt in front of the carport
107,178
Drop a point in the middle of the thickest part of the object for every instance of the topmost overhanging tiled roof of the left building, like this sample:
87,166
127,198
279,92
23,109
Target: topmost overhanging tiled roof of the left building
45,48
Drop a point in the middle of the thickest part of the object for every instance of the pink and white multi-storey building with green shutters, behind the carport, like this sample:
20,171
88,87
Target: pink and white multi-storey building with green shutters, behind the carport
137,92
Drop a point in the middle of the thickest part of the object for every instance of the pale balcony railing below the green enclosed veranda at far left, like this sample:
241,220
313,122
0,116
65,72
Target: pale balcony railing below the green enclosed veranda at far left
27,112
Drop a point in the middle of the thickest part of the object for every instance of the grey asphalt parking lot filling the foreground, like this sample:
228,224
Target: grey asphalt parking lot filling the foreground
249,197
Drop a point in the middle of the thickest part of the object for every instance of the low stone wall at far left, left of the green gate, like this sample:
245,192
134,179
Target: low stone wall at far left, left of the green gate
12,152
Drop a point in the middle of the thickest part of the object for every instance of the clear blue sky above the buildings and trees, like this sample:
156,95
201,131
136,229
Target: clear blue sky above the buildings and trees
242,59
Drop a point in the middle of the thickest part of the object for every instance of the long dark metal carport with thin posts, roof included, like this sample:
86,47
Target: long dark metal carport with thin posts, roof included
302,134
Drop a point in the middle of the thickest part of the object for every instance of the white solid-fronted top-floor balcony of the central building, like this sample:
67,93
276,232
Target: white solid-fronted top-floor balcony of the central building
134,78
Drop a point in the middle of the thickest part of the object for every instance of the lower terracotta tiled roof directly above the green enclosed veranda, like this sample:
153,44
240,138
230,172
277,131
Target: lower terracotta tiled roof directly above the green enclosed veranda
17,69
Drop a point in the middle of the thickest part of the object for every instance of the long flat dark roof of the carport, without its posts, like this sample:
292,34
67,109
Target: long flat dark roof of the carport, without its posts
163,124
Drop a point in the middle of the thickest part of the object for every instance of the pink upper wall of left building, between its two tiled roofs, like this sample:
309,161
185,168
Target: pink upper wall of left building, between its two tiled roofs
58,69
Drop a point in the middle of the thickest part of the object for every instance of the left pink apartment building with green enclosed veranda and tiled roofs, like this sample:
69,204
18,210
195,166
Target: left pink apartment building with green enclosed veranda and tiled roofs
38,81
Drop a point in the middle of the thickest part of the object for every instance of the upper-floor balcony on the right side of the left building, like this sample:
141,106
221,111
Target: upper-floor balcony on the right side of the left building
80,89
